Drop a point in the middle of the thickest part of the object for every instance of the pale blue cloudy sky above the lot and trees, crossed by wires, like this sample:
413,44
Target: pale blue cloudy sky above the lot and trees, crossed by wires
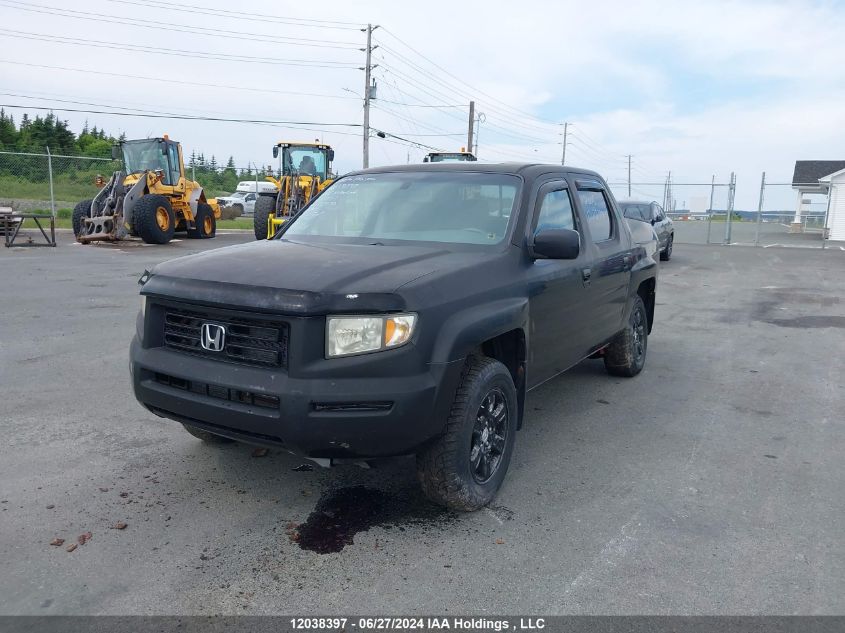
700,89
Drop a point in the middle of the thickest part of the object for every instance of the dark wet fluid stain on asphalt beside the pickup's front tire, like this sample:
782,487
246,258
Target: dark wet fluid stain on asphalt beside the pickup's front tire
342,513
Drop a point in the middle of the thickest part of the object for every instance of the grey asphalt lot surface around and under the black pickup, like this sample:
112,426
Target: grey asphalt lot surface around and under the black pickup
711,483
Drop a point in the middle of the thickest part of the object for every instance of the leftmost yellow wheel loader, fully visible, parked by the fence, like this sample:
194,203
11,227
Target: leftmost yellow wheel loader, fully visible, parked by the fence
150,197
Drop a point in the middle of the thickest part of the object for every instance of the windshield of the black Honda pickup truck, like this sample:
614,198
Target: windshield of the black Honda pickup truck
463,208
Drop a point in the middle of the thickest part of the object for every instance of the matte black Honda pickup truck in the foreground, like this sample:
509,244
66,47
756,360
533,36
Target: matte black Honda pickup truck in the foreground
406,310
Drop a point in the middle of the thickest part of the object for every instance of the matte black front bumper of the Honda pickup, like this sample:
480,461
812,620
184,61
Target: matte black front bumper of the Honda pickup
349,417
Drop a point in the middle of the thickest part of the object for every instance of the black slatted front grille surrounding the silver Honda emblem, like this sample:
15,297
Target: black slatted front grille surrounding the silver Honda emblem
255,342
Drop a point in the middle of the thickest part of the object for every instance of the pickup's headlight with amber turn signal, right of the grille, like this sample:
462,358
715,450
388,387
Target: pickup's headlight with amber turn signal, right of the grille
348,335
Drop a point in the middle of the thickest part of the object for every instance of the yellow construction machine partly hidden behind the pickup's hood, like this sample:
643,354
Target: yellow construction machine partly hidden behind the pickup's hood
305,172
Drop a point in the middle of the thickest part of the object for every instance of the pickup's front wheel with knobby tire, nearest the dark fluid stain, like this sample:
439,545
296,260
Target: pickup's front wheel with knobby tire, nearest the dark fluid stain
464,468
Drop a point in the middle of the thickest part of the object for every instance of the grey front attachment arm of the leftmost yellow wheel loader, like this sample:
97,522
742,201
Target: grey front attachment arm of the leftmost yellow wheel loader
107,218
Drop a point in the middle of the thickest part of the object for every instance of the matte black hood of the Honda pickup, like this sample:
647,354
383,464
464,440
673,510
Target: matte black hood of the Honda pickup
304,278
